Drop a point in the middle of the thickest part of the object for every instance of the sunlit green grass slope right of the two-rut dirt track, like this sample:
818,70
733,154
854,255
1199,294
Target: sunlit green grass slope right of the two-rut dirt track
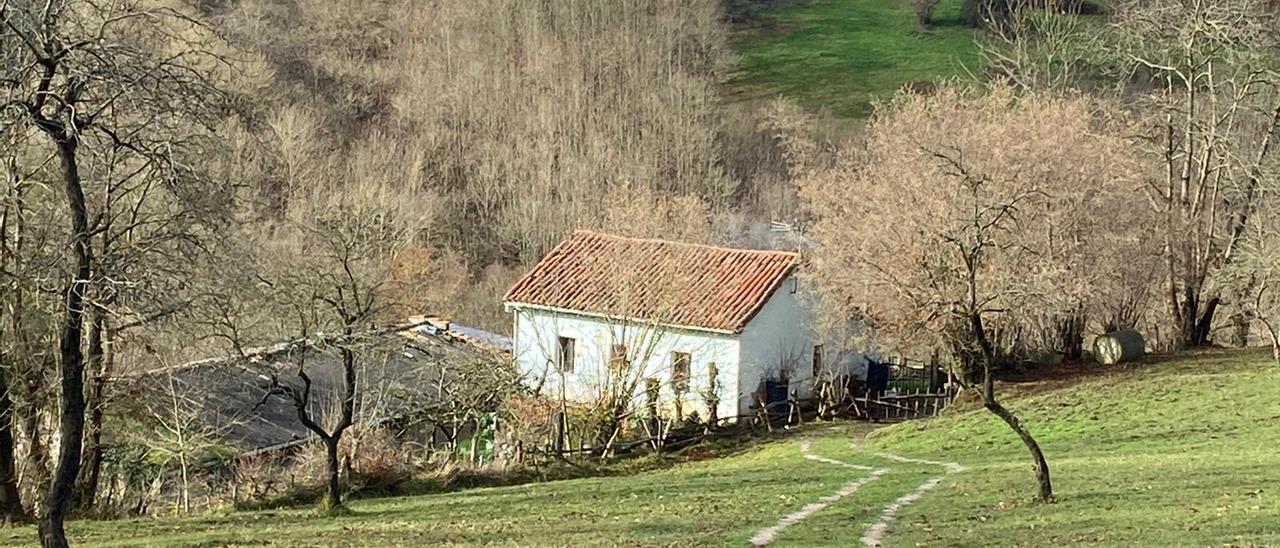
1183,453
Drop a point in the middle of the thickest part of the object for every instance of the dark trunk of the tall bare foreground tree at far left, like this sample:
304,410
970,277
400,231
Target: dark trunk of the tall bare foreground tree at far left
71,428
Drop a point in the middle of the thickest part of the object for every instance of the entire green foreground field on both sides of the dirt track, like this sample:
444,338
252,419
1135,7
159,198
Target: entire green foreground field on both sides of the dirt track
1177,453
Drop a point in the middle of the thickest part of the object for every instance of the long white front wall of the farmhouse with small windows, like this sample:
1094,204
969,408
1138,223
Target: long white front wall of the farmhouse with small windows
651,350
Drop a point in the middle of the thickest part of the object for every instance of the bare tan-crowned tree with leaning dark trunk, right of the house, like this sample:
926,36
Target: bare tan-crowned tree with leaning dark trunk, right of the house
981,205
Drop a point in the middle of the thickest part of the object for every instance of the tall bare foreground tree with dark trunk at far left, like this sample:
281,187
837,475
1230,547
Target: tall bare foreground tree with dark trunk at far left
100,79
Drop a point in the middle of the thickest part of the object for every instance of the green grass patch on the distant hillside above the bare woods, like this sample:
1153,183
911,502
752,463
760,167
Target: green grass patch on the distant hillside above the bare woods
845,54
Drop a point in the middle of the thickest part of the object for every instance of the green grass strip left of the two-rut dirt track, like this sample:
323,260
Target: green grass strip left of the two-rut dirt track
710,503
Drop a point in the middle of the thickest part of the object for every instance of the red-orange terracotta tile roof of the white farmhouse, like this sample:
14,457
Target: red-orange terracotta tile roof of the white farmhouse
673,284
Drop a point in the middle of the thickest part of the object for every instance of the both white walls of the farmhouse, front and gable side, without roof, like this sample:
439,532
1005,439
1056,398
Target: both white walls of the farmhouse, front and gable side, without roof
781,336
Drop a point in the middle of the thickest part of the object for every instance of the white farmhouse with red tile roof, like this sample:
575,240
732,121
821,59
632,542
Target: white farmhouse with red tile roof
711,326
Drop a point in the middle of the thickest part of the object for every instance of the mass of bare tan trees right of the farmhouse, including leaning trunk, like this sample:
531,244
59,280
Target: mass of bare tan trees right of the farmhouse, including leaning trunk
1008,222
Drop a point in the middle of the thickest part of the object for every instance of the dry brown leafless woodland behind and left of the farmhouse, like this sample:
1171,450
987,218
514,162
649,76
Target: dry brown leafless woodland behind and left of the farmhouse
330,166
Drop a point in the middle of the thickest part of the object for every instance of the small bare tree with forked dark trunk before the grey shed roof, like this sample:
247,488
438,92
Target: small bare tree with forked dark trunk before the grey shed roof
328,276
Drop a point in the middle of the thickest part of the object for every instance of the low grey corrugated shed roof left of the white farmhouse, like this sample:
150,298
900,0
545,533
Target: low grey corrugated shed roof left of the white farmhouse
399,364
